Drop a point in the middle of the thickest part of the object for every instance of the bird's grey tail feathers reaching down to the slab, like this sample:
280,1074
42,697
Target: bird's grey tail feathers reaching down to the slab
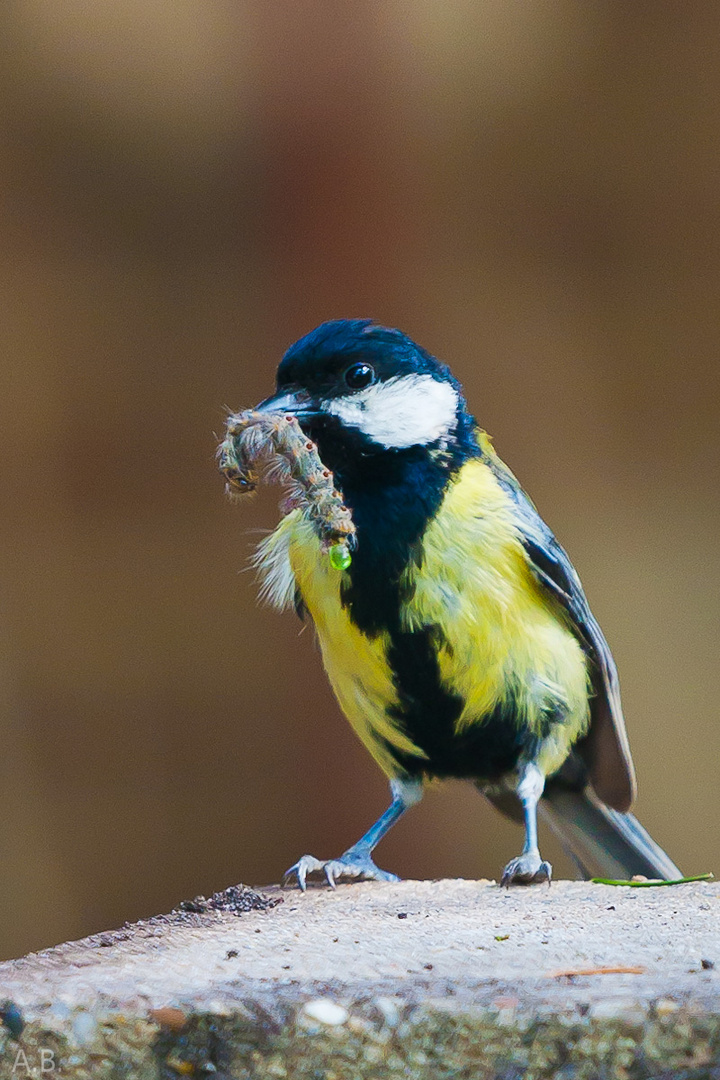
602,842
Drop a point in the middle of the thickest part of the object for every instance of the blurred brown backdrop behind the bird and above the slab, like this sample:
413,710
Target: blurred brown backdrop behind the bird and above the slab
532,192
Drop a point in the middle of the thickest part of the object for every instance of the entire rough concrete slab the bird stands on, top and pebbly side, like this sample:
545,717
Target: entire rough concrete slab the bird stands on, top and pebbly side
422,979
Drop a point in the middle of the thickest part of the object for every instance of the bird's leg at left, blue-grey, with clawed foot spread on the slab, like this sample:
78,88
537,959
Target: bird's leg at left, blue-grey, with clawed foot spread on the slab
357,862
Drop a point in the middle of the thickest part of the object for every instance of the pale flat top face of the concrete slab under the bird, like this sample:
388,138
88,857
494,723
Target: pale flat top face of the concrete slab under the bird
470,934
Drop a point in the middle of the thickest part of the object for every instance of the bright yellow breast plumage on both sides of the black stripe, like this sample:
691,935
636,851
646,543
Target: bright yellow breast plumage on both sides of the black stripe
501,637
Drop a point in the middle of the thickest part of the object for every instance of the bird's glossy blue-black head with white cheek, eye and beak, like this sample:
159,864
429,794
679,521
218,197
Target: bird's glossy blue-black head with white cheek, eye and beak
362,390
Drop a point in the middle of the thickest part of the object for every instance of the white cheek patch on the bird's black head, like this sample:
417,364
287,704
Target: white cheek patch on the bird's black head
407,411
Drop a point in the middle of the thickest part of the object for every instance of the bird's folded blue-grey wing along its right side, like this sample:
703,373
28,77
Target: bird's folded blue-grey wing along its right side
605,750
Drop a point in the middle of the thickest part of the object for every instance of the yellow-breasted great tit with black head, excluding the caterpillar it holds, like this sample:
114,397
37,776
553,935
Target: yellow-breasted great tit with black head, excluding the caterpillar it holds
459,642
